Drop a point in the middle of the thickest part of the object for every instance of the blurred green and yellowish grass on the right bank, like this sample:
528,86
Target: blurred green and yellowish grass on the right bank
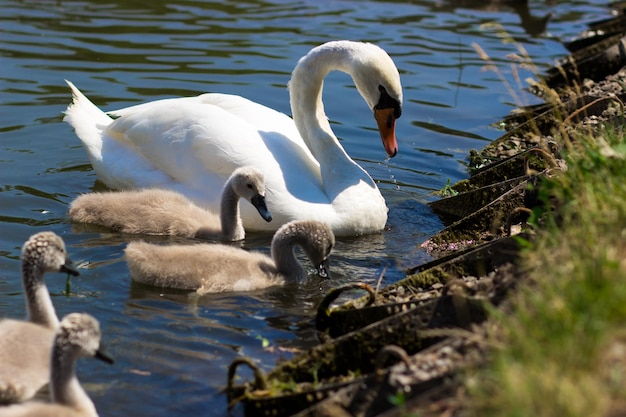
561,351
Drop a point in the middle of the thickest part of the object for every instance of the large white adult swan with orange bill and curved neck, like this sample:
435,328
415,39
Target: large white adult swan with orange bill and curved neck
193,144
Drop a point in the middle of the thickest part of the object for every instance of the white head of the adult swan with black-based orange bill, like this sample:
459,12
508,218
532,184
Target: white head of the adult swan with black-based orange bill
377,79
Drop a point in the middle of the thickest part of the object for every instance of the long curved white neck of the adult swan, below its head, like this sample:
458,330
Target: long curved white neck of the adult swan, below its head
305,92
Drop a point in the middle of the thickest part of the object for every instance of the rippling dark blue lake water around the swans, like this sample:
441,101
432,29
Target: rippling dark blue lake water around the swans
172,349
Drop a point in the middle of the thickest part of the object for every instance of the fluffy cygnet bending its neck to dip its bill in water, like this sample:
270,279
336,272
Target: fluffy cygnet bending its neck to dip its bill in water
213,268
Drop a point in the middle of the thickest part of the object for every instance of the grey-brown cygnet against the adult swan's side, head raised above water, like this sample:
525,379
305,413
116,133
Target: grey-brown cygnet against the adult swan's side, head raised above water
157,211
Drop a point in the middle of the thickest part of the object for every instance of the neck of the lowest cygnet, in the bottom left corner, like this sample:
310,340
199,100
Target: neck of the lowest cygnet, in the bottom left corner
65,388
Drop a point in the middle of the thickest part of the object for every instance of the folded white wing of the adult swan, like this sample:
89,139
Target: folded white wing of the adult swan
200,141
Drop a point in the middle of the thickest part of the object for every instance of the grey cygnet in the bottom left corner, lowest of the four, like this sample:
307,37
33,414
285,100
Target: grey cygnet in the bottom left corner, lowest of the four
78,336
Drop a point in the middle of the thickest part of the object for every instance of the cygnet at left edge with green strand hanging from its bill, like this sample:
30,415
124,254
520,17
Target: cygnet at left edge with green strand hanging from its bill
25,345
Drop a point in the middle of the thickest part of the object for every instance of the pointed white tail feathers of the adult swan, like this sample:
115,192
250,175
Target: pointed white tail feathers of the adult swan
88,122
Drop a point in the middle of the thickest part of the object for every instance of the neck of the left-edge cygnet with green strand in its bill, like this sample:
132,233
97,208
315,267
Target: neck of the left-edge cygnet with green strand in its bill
38,303
